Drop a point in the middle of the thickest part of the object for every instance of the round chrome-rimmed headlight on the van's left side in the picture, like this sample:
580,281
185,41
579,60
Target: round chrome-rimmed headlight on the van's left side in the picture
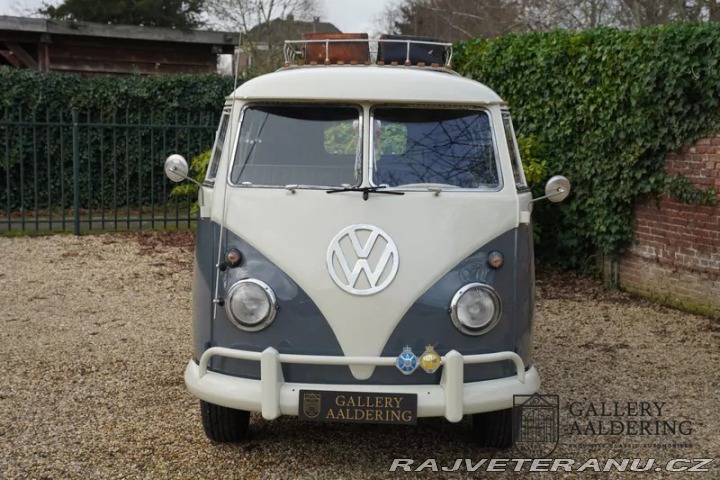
251,305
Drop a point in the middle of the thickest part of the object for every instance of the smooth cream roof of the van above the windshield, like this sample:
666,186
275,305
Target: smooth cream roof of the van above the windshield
387,84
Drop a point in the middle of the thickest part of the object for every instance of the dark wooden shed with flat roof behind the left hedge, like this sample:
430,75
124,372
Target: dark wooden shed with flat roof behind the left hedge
98,49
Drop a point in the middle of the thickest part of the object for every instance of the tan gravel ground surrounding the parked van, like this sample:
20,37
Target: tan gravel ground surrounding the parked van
95,334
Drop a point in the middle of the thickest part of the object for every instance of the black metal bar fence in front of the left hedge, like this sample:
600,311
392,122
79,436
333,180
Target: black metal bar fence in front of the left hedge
88,170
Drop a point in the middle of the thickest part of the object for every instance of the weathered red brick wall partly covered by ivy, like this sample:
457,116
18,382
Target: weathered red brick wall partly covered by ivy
676,256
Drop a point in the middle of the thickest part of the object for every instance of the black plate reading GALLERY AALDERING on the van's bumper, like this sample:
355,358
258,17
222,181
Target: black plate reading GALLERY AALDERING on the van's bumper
357,407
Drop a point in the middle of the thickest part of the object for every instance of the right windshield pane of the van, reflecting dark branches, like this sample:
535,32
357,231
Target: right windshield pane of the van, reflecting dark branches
450,147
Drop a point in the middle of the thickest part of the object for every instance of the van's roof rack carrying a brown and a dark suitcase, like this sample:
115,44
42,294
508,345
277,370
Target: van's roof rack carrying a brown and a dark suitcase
357,49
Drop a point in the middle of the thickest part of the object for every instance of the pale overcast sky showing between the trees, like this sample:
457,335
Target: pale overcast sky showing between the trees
347,15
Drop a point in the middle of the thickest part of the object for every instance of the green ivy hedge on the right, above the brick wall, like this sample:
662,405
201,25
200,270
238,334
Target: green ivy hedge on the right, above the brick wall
606,107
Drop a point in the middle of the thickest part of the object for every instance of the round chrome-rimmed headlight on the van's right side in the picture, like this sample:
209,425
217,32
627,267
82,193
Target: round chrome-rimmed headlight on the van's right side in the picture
475,308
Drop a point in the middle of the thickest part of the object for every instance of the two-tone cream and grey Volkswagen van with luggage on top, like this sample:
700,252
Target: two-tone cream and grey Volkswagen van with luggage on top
364,248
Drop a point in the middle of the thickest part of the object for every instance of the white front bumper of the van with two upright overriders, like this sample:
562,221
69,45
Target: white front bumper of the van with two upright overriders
272,396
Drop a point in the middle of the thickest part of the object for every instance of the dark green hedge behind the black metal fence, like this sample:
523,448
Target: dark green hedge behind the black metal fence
127,126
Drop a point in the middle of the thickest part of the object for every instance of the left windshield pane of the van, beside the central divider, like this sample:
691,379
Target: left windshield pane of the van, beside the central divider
314,145
